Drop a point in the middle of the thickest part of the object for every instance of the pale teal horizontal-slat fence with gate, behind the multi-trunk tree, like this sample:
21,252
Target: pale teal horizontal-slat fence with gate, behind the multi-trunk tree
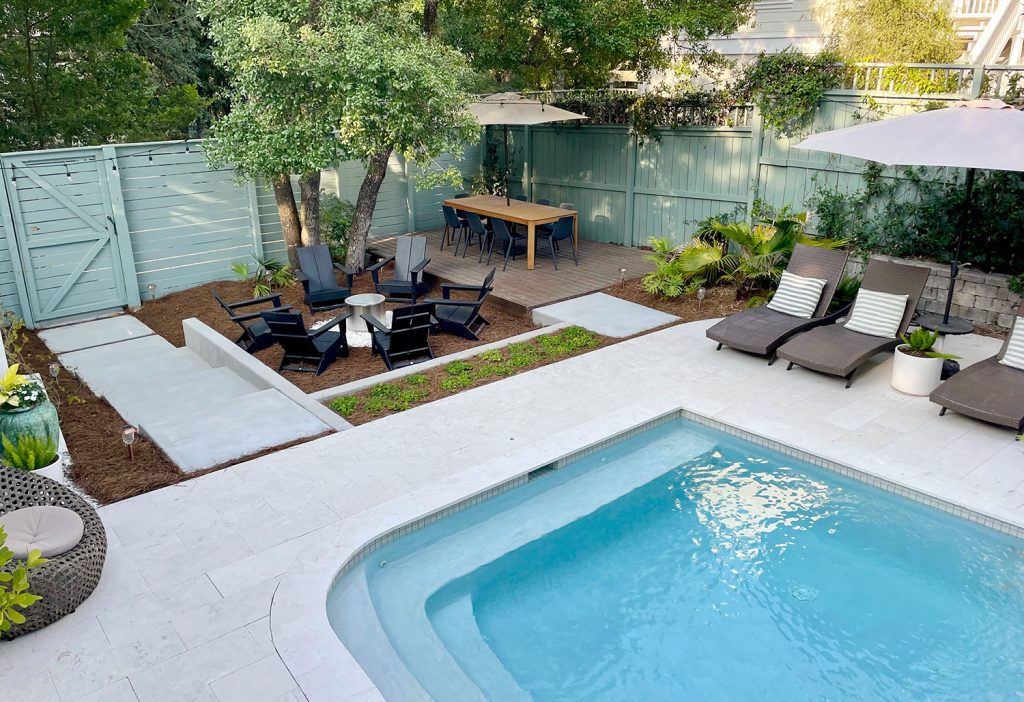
89,230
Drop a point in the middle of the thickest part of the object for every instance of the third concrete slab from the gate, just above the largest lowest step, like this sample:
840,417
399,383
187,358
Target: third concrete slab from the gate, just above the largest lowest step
179,396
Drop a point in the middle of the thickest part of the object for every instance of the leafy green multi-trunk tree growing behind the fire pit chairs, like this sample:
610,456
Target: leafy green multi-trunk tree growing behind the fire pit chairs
316,81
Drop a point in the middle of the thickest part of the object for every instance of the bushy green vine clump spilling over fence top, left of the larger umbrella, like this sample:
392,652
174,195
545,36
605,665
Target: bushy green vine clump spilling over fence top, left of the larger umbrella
788,86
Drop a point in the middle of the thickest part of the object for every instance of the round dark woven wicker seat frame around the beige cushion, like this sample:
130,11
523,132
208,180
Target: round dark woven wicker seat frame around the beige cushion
66,581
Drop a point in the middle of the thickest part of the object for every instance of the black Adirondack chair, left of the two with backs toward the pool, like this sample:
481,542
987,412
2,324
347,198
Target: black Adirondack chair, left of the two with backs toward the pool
305,350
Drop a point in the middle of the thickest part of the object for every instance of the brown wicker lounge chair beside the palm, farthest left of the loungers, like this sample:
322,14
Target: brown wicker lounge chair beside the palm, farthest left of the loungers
762,331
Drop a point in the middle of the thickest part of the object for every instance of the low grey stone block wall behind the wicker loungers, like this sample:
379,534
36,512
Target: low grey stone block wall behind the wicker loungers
983,298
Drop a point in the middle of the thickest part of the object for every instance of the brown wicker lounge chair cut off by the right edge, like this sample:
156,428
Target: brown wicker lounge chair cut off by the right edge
989,390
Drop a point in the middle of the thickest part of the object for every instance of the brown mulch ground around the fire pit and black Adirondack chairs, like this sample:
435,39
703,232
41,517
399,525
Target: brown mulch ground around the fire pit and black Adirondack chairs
165,315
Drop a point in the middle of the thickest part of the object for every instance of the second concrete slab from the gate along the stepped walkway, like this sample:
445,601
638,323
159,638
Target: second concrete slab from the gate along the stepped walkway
133,366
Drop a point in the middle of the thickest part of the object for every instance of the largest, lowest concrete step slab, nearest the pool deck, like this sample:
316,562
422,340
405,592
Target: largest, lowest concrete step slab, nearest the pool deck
231,429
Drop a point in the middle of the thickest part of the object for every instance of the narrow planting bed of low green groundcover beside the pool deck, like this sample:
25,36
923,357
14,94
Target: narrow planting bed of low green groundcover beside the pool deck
388,399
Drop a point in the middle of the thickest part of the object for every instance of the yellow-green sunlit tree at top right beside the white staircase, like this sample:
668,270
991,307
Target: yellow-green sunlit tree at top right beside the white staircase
895,31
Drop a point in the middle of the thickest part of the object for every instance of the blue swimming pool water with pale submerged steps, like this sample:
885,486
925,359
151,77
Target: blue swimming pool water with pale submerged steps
685,564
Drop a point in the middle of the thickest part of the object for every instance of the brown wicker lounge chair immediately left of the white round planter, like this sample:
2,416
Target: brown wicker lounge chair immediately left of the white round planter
839,352
